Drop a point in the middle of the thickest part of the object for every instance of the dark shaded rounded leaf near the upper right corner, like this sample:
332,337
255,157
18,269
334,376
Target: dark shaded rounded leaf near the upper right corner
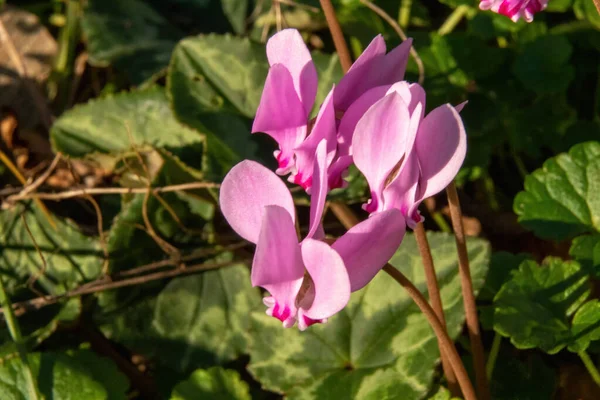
543,65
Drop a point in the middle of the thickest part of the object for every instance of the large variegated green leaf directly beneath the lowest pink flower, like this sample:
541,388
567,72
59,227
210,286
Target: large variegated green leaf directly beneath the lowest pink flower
379,346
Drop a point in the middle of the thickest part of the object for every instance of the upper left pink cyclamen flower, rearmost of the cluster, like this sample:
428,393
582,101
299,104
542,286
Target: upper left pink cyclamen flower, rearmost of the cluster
289,95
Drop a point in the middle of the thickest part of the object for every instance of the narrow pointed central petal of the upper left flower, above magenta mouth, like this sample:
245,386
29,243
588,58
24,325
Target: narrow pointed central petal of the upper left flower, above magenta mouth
324,129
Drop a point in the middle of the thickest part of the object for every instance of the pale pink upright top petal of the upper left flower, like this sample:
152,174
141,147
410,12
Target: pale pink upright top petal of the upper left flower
287,48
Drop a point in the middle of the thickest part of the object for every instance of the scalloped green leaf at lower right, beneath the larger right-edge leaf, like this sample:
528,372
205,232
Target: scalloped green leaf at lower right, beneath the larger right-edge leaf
534,308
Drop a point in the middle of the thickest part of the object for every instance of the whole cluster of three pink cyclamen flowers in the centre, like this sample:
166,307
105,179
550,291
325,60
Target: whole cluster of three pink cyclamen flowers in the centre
371,118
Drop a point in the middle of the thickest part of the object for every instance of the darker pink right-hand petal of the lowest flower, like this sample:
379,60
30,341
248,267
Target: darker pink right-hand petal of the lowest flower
368,246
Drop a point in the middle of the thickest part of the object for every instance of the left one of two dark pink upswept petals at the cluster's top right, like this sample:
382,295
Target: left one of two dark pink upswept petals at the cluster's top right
357,80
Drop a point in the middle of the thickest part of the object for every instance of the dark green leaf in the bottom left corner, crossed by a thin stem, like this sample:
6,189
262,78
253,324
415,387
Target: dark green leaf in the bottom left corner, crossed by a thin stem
65,376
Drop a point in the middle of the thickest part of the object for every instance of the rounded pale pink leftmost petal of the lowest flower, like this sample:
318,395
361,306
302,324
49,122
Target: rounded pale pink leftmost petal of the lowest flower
246,190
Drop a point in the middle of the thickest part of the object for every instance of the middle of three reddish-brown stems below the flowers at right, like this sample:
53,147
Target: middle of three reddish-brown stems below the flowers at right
436,302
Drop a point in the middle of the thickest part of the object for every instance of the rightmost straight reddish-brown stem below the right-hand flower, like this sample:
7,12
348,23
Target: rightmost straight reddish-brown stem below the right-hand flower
467,292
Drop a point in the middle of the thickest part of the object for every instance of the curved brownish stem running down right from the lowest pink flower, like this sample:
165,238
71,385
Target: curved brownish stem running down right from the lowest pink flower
440,332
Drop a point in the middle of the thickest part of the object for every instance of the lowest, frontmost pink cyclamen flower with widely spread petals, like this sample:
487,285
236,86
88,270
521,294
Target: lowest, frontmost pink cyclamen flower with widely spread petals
308,281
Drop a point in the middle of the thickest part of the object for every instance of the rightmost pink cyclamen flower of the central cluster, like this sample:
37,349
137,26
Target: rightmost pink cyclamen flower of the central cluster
404,155
